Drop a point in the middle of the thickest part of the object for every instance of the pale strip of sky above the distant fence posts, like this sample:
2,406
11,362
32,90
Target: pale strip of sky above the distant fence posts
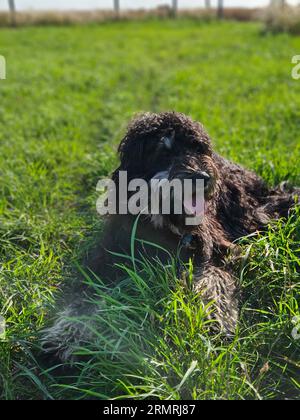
103,4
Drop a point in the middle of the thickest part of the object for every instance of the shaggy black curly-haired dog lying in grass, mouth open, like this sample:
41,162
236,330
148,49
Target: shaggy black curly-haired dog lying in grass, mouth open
238,203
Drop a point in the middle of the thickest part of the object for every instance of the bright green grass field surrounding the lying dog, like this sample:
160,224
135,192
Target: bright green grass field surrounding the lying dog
68,96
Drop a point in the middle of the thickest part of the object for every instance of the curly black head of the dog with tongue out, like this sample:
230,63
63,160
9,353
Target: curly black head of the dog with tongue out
168,146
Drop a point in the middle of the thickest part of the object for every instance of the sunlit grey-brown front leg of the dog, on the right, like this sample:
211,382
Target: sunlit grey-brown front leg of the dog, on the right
219,286
